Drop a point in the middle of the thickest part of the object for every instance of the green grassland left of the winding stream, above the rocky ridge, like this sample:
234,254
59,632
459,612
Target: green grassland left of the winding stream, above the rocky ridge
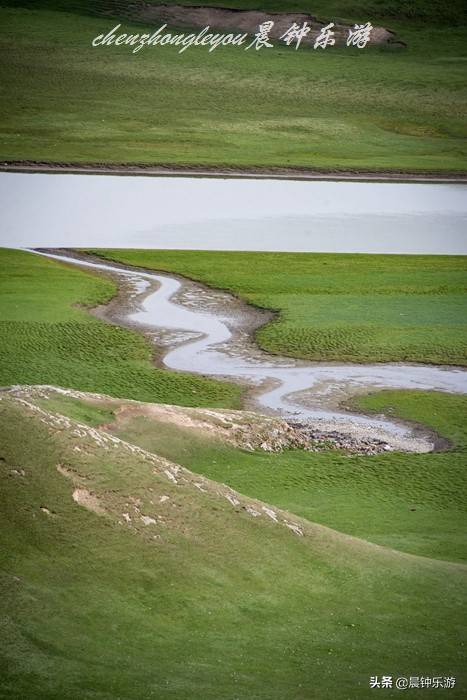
47,337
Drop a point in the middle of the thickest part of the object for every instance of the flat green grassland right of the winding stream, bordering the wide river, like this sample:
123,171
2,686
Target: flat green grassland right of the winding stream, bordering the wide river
338,307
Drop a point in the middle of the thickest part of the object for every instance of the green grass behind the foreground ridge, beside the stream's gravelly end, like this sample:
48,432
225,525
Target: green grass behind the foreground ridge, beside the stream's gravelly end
412,502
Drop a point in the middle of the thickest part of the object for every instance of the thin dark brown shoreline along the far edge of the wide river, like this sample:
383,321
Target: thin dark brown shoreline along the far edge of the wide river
226,172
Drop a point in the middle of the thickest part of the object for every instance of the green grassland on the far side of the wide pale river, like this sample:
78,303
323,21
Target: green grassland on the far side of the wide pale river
376,109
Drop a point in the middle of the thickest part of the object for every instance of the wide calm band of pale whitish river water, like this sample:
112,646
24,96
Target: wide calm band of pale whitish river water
228,214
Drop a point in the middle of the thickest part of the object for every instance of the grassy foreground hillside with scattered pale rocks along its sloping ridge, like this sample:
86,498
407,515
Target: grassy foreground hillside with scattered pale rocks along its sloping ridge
219,606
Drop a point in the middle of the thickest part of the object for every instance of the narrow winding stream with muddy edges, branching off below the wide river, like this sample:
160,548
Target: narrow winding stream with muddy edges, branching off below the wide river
206,337
